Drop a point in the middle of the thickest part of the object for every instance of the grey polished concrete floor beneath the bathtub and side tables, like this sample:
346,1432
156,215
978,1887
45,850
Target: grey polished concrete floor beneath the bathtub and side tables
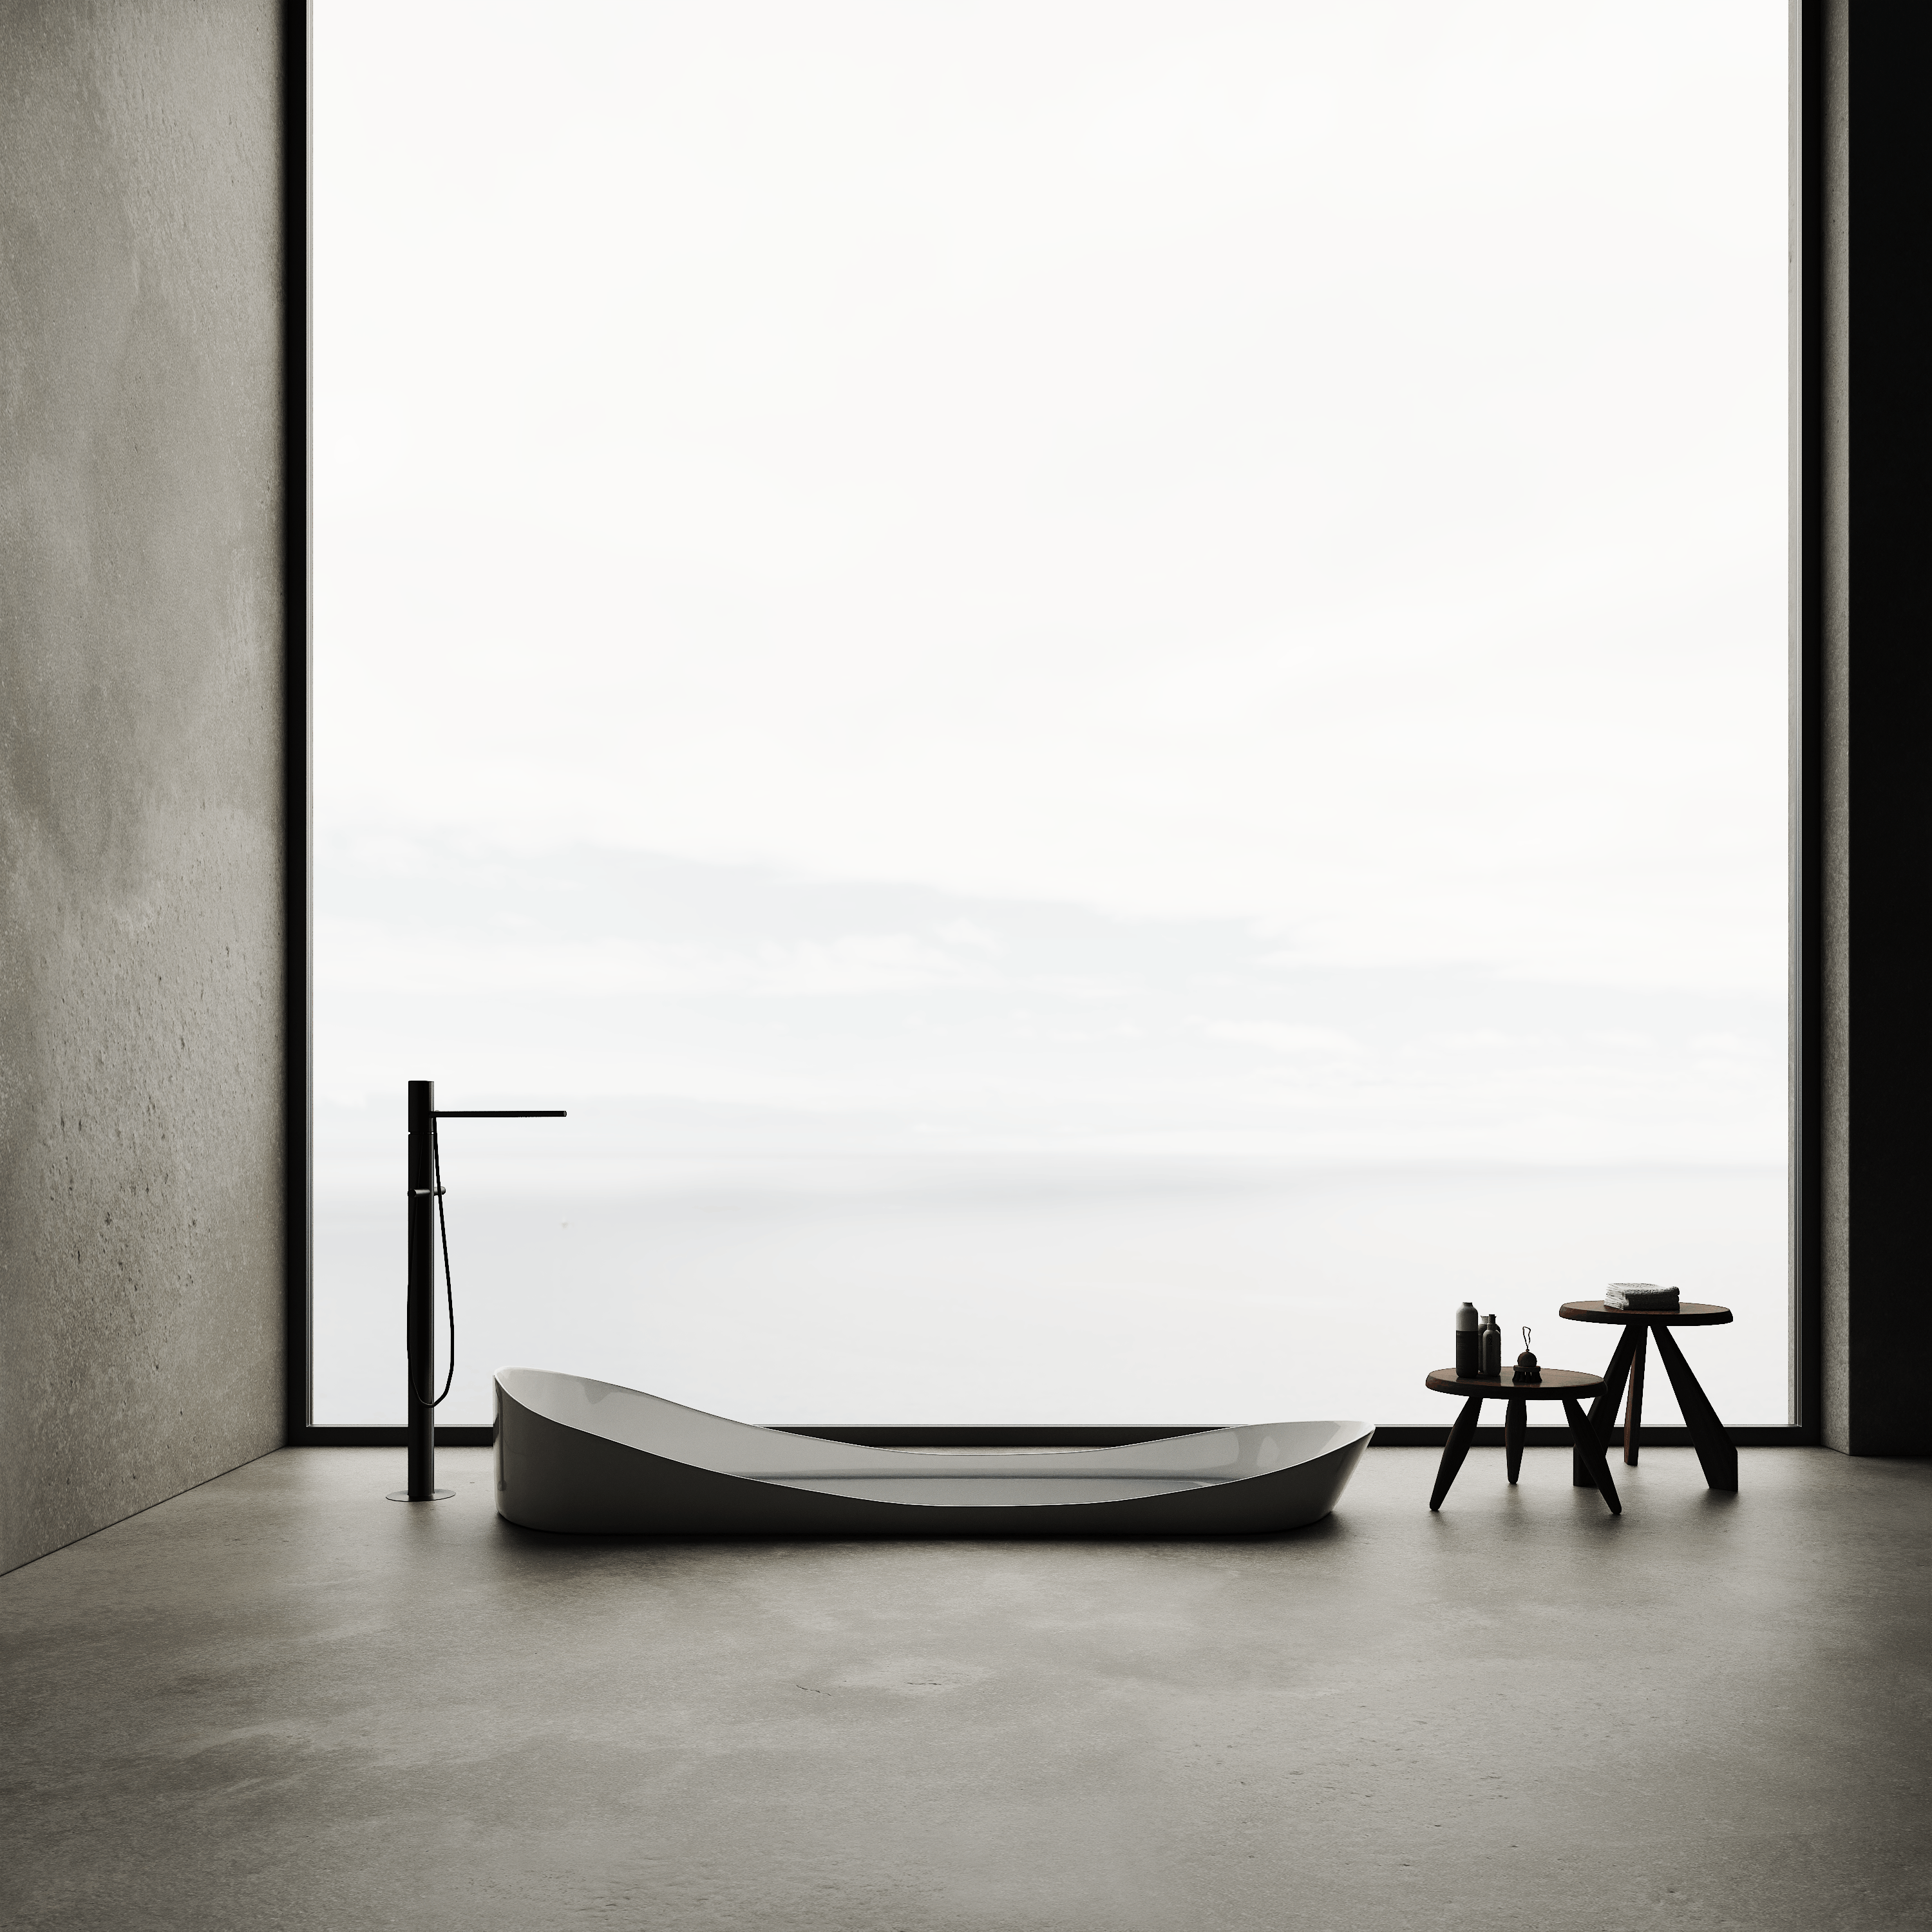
285,1703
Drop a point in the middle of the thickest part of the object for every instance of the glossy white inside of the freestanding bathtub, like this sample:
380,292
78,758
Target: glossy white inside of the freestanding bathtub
957,1477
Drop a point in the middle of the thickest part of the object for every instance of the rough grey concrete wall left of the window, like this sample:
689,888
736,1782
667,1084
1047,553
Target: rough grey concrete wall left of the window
140,756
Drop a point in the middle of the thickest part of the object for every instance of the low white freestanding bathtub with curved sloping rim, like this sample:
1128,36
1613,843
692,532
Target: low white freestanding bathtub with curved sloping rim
596,1460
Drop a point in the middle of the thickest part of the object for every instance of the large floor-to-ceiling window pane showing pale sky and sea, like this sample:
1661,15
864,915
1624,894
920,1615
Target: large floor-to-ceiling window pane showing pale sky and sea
1104,687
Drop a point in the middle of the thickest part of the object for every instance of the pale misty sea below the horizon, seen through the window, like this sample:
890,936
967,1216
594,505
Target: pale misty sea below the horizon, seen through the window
1002,1290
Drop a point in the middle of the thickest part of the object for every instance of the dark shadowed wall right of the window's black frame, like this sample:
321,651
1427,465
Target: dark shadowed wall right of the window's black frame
1877,754
